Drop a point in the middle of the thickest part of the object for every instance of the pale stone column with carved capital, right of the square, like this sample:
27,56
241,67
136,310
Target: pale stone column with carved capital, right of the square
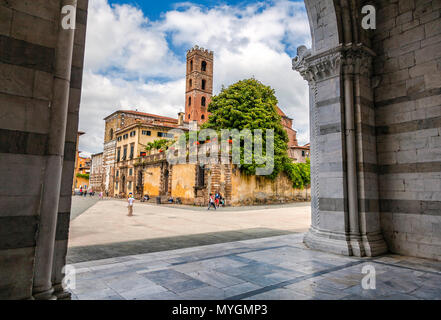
339,152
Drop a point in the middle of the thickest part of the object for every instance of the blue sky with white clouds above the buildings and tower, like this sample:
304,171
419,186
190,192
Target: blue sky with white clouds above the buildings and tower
135,55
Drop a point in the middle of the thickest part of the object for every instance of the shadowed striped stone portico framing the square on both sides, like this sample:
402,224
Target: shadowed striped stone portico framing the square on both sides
375,104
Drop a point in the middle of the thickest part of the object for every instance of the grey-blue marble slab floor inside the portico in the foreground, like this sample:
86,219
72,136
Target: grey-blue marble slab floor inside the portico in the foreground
278,267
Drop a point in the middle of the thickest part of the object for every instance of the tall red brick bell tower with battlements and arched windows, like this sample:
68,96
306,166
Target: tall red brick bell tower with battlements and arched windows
199,84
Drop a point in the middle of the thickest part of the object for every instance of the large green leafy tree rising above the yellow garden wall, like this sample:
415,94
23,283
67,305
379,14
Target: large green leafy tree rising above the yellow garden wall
249,104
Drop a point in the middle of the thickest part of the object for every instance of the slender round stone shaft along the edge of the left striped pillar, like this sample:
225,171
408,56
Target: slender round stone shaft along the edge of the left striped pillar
45,242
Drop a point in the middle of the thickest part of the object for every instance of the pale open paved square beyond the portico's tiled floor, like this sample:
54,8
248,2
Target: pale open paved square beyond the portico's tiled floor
105,231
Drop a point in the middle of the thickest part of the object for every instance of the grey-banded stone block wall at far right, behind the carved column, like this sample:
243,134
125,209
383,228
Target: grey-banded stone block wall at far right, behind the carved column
408,124
